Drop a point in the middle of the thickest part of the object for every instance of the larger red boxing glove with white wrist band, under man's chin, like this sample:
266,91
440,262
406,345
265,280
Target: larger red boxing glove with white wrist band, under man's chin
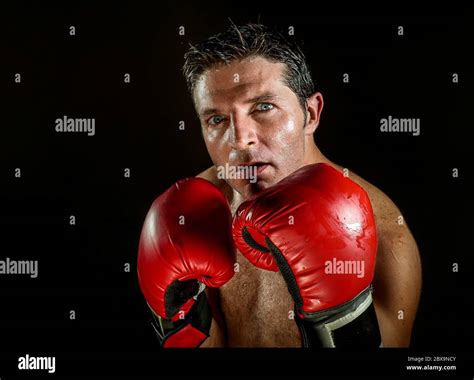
318,228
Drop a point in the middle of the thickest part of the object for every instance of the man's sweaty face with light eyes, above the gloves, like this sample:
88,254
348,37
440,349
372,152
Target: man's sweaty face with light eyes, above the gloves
250,117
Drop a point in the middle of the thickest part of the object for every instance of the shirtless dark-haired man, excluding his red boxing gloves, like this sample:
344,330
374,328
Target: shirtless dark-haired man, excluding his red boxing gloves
255,99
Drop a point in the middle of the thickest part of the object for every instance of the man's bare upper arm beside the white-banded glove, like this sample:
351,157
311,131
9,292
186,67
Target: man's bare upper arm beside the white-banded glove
397,281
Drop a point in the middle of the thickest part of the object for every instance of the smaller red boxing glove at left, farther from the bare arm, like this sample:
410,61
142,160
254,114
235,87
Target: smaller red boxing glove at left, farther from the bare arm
185,245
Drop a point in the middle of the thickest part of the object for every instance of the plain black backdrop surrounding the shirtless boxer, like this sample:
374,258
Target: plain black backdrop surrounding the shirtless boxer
81,267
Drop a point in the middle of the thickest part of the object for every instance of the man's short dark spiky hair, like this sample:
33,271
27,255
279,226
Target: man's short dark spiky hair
239,42
